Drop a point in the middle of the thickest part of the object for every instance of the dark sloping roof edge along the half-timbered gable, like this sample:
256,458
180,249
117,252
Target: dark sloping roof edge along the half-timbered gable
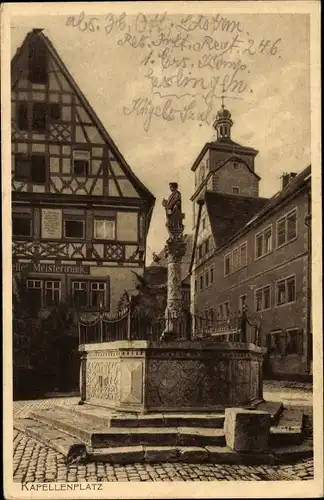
16,65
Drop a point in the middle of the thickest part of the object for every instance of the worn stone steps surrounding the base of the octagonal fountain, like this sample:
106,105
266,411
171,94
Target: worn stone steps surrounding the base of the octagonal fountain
100,434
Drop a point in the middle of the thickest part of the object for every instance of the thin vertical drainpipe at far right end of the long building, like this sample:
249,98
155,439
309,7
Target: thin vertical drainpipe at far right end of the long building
308,223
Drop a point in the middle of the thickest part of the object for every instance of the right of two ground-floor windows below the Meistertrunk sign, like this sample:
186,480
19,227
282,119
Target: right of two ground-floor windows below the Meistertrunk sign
89,294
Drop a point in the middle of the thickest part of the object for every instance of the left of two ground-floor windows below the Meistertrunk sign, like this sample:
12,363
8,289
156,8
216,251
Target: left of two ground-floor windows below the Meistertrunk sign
45,293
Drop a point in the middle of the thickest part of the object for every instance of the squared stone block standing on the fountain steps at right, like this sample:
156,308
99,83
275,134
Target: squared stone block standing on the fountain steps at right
247,430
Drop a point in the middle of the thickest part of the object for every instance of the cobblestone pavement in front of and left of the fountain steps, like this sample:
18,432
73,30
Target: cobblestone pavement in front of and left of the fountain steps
34,462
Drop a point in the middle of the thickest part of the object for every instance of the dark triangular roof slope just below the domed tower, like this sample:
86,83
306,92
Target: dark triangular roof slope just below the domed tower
229,213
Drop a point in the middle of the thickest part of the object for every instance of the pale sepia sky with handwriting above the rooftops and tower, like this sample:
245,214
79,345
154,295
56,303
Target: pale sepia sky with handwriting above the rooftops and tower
272,115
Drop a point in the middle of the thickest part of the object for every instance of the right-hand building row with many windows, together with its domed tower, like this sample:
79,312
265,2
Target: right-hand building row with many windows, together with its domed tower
253,250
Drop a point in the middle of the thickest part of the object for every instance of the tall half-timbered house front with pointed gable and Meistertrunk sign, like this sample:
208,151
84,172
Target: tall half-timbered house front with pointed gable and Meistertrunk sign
80,216
